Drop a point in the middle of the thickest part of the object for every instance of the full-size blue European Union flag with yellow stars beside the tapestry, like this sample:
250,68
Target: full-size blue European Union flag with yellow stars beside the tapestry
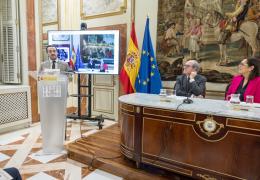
148,79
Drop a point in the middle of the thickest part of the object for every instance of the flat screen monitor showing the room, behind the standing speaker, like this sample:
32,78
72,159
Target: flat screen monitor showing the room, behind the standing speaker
90,52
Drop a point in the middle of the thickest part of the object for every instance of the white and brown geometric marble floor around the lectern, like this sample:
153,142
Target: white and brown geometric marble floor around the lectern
21,149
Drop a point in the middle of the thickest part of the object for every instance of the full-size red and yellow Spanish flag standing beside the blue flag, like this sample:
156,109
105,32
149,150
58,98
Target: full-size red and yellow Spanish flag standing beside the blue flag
131,66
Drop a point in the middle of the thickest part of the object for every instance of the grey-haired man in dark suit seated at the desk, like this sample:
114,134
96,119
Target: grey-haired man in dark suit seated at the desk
190,82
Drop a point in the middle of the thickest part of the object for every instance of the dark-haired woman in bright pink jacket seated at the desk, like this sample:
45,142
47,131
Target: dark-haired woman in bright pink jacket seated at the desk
248,82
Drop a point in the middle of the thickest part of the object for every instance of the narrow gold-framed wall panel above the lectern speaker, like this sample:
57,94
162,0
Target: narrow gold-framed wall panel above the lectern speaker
50,15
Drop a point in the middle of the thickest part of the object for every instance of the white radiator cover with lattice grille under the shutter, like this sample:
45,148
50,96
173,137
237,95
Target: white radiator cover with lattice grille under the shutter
15,107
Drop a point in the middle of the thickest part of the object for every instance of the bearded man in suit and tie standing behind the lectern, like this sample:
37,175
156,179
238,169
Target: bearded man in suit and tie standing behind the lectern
53,62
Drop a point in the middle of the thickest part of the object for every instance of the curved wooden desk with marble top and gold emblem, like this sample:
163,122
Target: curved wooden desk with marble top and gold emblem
204,140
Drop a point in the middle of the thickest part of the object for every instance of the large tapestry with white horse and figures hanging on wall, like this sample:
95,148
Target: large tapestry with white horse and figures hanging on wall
211,31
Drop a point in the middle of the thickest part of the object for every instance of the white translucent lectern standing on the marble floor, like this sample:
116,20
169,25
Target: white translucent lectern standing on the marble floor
52,90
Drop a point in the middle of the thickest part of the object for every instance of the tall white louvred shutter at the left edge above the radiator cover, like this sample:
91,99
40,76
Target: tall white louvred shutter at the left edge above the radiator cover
9,42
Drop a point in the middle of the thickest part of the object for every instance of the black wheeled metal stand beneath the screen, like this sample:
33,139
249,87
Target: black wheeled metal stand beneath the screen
88,116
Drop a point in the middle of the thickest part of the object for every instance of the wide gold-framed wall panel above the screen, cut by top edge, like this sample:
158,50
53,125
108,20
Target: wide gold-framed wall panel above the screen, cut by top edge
108,9
